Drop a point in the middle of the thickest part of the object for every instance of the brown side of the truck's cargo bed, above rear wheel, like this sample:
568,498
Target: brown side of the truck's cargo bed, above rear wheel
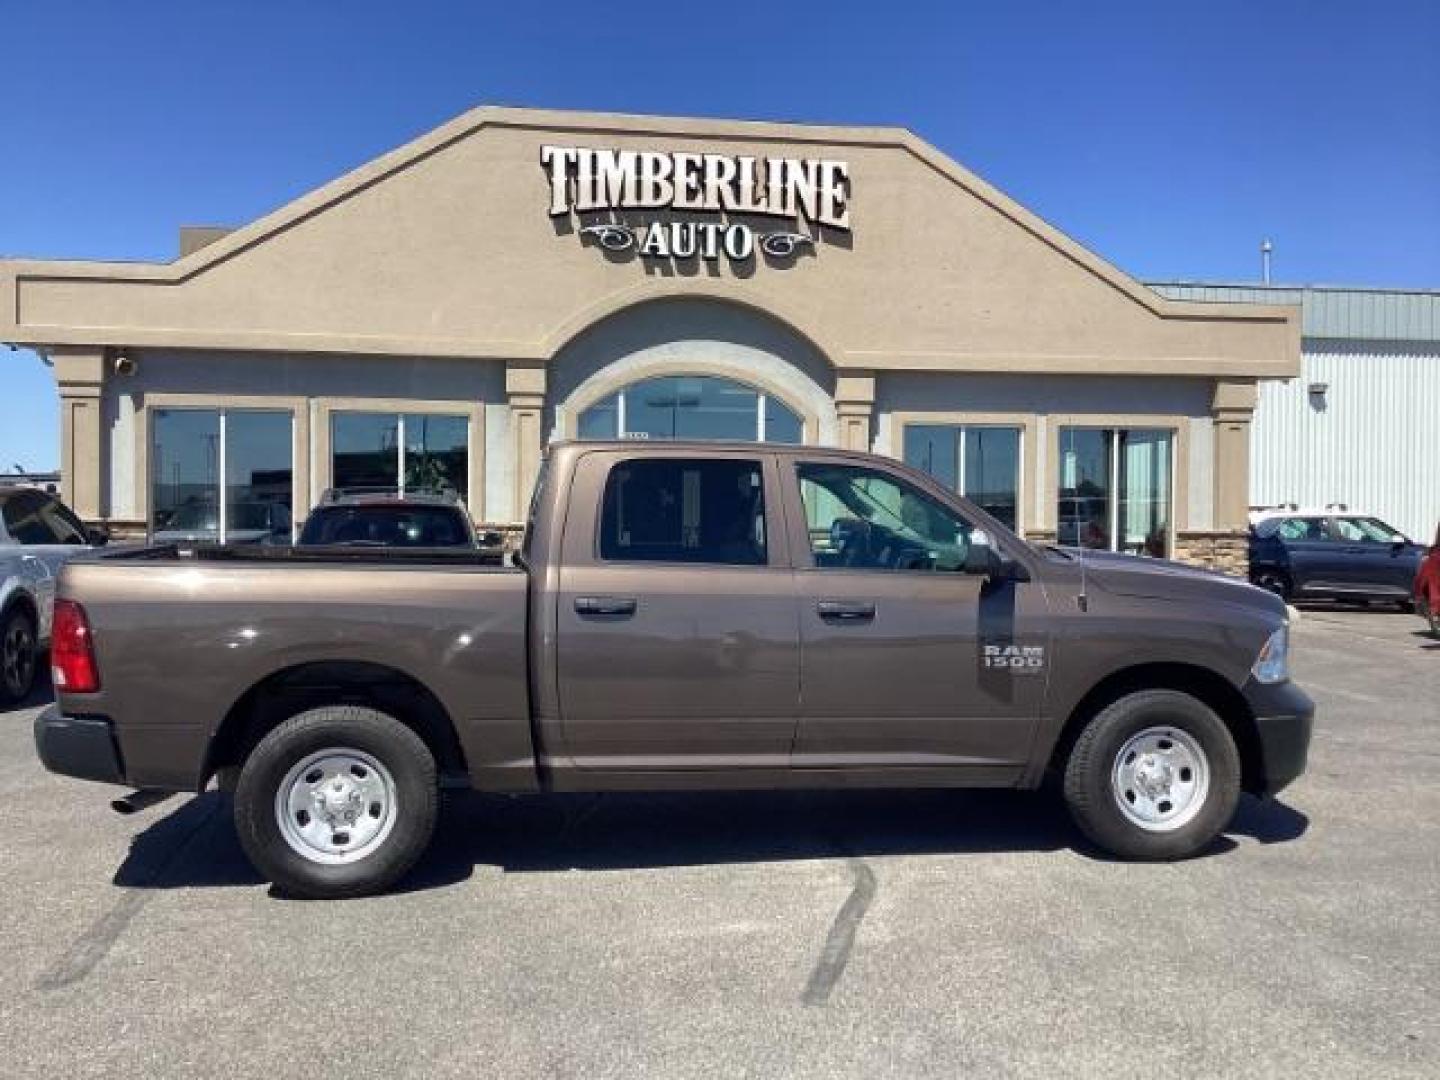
207,634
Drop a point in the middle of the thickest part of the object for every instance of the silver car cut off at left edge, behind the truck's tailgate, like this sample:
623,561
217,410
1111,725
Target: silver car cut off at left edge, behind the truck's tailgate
38,534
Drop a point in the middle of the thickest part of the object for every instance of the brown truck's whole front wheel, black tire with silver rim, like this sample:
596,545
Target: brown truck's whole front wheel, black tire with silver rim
1154,777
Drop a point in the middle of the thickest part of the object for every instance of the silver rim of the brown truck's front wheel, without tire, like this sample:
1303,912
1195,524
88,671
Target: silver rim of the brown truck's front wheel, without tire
1161,780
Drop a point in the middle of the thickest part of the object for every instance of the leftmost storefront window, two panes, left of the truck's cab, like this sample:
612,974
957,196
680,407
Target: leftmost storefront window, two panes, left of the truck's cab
192,450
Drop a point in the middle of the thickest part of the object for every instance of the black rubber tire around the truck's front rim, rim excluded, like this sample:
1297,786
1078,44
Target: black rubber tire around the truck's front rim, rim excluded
1094,803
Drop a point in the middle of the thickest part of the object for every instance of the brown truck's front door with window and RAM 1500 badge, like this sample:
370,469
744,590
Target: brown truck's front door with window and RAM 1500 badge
906,660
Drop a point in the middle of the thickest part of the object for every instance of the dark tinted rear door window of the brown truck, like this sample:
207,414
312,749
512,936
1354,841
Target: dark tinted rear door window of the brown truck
676,510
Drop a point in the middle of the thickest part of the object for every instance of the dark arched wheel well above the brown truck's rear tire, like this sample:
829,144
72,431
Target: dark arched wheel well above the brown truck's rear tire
293,690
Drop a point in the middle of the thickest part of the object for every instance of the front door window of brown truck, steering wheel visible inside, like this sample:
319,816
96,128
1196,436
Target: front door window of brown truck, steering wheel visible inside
869,521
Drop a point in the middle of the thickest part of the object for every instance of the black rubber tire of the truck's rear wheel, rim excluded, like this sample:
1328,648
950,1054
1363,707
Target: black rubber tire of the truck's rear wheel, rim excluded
415,798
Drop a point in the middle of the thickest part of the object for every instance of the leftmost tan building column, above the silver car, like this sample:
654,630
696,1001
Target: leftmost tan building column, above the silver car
84,460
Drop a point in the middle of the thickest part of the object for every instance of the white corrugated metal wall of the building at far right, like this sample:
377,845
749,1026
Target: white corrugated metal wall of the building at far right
1373,446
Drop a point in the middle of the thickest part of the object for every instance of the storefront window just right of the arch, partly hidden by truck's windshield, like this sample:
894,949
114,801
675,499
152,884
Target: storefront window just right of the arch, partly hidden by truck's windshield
977,462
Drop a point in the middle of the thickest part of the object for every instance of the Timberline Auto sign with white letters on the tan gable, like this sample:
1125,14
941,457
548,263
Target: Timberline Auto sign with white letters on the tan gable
798,191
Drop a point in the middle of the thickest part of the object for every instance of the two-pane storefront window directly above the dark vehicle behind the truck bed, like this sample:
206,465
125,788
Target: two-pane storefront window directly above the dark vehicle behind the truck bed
400,451
